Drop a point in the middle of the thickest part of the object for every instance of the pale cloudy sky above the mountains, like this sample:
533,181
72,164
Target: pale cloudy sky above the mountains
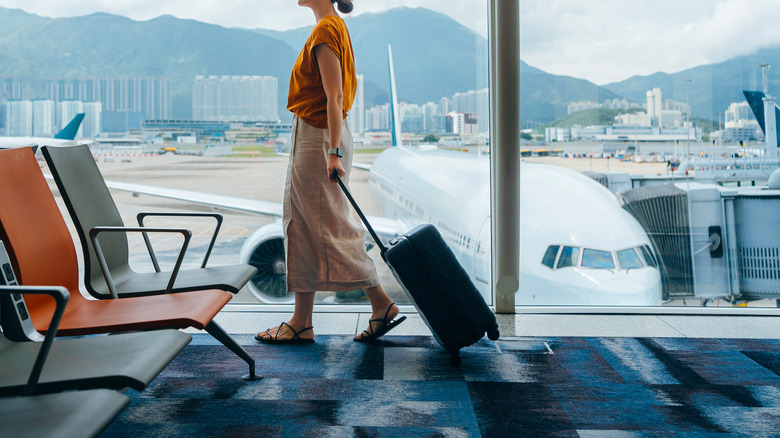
602,41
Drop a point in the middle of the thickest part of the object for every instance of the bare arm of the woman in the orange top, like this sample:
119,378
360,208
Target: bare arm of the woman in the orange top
330,70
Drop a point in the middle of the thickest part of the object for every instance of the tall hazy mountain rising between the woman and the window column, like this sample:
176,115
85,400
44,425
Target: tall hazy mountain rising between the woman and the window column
429,46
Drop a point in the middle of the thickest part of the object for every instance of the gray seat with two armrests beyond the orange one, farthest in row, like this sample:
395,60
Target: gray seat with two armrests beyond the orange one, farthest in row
90,205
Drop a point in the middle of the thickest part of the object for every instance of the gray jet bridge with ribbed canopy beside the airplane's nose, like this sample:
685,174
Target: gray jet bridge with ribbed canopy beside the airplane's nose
713,242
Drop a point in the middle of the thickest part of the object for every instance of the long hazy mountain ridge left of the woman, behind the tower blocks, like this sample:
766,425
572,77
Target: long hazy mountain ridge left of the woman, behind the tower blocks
103,44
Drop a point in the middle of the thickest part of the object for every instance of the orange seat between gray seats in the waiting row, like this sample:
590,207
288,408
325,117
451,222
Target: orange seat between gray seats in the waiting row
43,253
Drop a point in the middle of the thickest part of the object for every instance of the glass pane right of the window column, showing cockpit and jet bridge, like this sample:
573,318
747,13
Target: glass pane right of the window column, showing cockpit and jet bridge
655,149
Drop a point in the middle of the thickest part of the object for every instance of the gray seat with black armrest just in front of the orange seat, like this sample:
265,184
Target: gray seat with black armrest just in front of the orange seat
114,362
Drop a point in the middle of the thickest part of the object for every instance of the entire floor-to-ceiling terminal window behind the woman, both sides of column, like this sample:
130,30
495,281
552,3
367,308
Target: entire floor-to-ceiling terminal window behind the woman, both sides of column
604,135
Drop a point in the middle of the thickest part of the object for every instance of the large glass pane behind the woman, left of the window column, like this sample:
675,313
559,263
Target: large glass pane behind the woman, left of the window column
217,127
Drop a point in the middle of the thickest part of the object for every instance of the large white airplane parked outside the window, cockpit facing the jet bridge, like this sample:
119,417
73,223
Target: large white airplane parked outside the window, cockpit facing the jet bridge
578,246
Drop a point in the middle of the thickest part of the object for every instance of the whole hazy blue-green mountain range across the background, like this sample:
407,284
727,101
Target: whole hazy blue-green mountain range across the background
434,57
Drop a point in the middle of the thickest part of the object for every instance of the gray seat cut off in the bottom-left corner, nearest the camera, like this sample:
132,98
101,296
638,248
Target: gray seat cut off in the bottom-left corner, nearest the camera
69,414
